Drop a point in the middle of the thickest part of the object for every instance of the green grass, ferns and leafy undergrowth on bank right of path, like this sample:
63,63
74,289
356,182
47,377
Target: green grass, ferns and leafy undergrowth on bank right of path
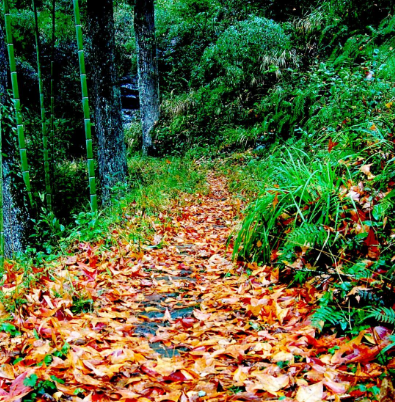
321,203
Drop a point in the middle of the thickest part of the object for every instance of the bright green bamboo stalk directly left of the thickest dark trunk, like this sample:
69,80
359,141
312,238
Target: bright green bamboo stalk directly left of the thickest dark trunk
85,107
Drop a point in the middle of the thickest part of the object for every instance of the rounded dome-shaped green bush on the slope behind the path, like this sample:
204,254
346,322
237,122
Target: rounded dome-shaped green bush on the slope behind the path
244,54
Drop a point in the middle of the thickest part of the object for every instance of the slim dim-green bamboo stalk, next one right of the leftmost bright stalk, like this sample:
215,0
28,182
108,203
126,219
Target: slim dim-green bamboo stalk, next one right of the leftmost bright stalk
47,177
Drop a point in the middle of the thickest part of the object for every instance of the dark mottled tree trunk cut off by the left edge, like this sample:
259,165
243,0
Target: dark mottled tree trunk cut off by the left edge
15,214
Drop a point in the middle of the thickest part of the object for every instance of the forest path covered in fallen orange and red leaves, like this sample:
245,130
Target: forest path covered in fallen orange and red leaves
177,321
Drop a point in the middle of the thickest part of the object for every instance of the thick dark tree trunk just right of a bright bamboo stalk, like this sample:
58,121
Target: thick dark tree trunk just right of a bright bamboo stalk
106,96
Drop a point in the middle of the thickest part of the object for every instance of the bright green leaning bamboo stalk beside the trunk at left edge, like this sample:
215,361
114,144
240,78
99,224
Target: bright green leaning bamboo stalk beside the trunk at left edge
17,101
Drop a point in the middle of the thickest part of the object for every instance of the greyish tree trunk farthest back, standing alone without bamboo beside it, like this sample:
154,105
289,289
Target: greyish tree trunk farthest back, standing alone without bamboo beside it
144,27
